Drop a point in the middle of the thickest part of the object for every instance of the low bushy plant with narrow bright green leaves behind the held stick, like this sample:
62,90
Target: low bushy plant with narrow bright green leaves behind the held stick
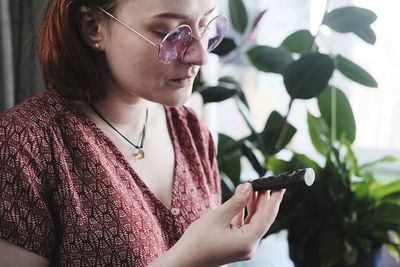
345,217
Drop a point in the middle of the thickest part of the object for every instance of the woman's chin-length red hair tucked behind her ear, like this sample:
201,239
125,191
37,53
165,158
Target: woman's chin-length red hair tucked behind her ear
66,61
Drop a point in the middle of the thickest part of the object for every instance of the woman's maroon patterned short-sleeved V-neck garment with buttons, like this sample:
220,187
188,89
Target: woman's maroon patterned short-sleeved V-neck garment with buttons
67,193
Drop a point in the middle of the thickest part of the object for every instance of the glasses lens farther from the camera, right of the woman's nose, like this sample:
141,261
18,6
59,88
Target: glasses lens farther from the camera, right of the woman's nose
215,32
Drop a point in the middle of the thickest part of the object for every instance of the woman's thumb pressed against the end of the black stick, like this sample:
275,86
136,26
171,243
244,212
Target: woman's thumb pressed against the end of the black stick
237,202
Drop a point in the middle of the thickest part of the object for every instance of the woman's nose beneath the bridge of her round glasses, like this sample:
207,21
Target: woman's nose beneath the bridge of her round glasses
196,53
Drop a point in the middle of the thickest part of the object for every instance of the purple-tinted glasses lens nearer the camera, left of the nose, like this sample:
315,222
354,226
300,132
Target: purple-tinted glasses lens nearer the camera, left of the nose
174,44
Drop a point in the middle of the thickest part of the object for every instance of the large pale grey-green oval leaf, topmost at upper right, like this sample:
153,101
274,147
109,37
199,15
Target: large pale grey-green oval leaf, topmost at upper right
349,19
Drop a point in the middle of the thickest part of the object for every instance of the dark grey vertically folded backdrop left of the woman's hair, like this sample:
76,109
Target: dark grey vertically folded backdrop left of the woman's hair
20,77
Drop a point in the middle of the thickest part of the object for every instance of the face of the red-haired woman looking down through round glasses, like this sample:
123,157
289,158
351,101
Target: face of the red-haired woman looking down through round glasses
133,70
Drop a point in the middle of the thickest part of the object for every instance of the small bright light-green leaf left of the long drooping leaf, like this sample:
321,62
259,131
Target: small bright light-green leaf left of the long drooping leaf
319,133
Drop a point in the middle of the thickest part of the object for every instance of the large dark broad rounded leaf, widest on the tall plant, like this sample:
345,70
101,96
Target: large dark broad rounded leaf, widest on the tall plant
308,76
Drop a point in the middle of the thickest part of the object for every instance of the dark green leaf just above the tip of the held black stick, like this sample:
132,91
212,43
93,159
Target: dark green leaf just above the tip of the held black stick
271,132
